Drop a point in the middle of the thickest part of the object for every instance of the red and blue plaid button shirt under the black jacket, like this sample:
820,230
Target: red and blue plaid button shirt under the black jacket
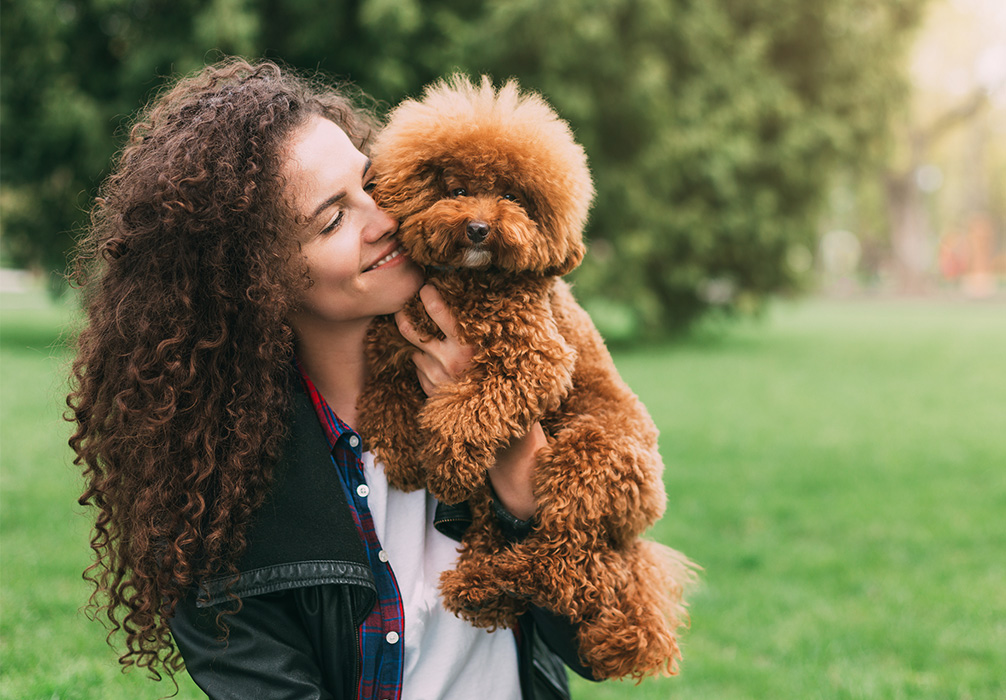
383,650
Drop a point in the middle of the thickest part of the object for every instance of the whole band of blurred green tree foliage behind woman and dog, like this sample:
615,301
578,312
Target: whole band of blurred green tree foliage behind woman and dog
714,128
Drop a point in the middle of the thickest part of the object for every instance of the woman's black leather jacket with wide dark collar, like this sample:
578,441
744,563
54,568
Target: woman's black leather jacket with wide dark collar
305,588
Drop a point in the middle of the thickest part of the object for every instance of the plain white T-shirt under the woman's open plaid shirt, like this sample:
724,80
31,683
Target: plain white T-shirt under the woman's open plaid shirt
446,658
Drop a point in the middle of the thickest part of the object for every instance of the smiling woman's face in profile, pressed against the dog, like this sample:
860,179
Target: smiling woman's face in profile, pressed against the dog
355,260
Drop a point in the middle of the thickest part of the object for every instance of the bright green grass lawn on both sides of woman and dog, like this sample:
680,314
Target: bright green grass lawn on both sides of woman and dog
840,471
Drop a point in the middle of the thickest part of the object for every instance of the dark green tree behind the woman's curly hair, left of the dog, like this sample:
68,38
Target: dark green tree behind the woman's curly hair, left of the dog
75,71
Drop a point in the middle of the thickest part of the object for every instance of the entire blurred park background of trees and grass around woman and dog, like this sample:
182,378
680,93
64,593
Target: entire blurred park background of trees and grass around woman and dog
797,252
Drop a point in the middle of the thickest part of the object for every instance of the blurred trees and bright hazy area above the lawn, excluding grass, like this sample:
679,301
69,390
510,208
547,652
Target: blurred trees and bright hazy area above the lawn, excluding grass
743,149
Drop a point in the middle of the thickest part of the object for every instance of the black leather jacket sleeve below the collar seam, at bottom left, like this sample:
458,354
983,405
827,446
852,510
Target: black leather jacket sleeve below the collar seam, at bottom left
279,646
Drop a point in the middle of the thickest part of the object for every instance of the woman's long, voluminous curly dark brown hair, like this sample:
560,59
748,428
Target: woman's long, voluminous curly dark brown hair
181,386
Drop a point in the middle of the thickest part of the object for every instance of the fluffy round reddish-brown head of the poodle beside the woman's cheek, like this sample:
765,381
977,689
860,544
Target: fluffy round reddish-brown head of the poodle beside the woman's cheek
483,179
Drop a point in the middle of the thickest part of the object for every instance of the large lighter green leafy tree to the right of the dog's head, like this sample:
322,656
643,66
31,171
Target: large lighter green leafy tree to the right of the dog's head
714,129
